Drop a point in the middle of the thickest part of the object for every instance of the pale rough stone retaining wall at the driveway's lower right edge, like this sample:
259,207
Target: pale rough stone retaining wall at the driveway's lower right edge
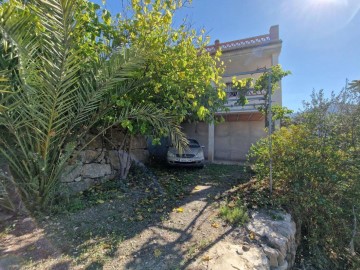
271,247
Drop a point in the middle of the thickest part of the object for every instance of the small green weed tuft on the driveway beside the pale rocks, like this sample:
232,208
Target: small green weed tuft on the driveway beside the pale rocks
234,212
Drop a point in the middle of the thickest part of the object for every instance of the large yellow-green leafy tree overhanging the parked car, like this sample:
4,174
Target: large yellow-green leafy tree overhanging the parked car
179,77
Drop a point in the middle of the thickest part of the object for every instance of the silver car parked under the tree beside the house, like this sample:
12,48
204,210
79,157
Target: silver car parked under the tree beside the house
193,155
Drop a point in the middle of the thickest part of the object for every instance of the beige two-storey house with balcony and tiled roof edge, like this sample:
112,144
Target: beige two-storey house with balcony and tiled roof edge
243,125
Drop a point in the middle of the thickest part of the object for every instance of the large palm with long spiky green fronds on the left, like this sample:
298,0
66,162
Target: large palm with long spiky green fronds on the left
53,102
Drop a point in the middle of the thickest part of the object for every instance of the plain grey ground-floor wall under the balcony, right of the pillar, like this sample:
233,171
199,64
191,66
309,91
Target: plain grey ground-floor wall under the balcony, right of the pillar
234,139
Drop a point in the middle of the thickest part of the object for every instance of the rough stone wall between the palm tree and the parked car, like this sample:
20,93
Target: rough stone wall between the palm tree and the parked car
99,162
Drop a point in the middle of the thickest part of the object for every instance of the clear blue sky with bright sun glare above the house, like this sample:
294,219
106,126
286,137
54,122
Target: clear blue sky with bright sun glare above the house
321,38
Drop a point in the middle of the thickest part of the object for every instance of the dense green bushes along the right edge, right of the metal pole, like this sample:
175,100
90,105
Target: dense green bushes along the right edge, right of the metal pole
316,170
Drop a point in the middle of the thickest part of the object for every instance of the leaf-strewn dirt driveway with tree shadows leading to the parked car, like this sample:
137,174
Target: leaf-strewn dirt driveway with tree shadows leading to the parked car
129,227
